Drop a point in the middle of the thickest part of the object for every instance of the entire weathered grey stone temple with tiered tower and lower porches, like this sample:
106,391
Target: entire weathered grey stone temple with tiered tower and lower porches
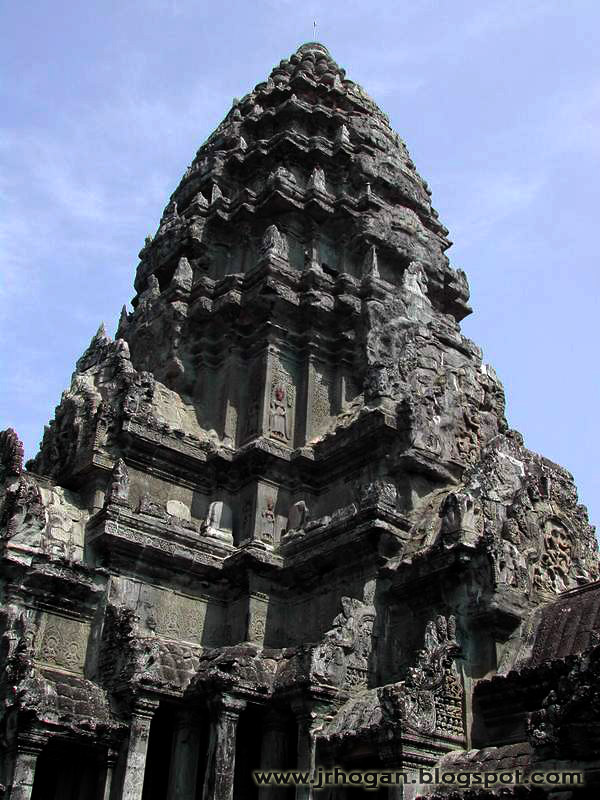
281,521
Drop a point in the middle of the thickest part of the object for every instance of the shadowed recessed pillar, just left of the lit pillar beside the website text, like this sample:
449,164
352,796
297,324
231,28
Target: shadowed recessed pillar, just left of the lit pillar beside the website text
184,756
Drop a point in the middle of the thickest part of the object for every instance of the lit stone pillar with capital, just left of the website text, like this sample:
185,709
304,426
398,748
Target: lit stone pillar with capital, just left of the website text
220,767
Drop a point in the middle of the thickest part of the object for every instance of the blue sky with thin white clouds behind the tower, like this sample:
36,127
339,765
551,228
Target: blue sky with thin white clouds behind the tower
105,103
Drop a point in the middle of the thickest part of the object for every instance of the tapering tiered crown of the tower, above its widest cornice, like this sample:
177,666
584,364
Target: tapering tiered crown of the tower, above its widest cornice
307,146
